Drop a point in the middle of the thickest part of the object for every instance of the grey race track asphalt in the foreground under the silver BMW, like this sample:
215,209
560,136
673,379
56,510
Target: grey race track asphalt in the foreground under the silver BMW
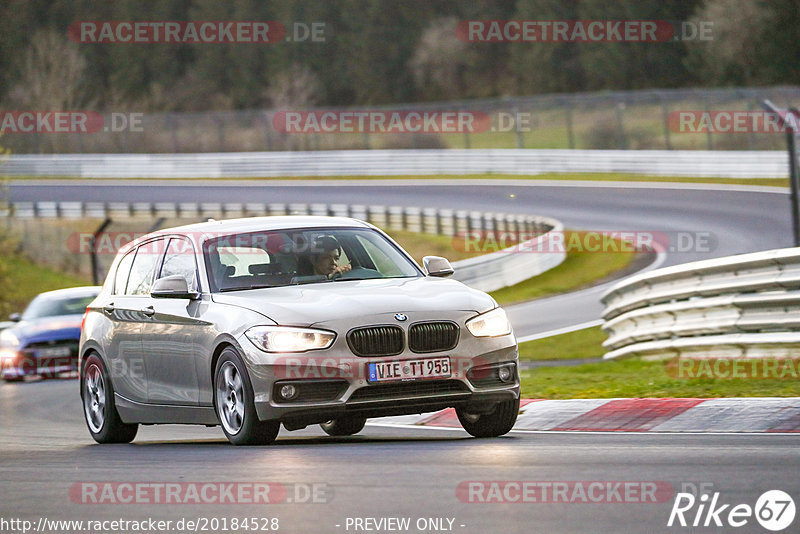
382,472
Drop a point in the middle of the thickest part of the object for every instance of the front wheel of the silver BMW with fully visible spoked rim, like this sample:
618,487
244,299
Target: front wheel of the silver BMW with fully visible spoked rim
234,404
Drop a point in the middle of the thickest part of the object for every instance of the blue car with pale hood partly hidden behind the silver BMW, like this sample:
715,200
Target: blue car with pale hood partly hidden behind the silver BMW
43,341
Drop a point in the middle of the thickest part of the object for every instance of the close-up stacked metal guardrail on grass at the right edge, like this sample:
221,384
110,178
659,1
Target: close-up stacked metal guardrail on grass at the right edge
744,306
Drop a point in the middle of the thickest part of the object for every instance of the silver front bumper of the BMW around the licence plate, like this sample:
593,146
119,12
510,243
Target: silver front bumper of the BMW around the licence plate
334,384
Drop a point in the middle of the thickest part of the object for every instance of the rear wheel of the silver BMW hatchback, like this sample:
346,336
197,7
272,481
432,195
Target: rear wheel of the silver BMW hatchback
99,410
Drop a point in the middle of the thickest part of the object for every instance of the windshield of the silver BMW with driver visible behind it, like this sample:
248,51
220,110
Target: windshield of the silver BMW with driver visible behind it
295,257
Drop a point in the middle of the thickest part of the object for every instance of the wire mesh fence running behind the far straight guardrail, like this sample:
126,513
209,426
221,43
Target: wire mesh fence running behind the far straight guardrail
605,120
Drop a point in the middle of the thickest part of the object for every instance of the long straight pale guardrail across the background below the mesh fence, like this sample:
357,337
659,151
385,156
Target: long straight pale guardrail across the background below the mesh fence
726,164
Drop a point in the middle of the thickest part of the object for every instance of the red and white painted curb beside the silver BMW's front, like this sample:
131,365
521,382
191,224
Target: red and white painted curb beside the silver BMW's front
638,415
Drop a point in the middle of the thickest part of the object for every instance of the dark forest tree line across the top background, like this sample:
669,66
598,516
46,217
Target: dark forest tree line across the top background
377,52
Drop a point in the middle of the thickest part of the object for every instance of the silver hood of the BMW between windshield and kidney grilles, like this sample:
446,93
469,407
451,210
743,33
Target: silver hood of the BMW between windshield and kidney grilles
306,305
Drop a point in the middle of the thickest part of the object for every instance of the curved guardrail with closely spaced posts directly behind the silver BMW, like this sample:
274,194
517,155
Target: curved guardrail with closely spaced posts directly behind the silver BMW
487,272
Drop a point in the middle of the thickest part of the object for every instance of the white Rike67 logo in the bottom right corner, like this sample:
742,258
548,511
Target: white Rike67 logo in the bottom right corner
774,510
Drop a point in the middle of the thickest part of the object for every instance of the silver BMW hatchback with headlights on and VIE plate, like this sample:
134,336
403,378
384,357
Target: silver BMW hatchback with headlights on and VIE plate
253,323
